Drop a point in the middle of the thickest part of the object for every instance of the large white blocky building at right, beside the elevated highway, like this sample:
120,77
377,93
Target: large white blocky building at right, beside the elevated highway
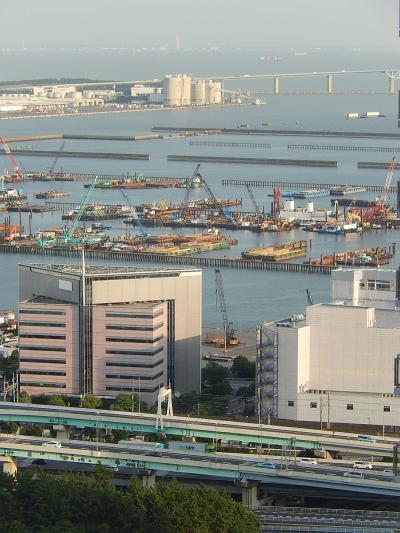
335,363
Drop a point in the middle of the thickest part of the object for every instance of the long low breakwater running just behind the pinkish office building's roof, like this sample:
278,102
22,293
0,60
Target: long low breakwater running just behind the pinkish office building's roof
205,262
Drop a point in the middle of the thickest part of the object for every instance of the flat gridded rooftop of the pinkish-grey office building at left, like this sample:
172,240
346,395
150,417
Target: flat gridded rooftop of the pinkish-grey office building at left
106,271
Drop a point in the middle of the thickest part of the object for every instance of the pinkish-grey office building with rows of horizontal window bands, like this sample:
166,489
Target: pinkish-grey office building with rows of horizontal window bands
109,331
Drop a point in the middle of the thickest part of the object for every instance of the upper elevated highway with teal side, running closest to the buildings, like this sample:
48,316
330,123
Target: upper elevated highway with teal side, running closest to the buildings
212,430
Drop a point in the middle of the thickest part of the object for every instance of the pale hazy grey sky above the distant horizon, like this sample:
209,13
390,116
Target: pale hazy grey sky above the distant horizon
199,23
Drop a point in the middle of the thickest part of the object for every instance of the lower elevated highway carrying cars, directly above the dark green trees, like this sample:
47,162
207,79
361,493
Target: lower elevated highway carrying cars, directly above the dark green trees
247,473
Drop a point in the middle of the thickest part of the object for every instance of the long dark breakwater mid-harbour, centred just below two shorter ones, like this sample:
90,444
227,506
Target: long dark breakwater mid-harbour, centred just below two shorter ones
254,161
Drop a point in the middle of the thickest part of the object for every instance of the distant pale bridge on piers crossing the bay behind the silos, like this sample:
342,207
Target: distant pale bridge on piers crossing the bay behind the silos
390,74
